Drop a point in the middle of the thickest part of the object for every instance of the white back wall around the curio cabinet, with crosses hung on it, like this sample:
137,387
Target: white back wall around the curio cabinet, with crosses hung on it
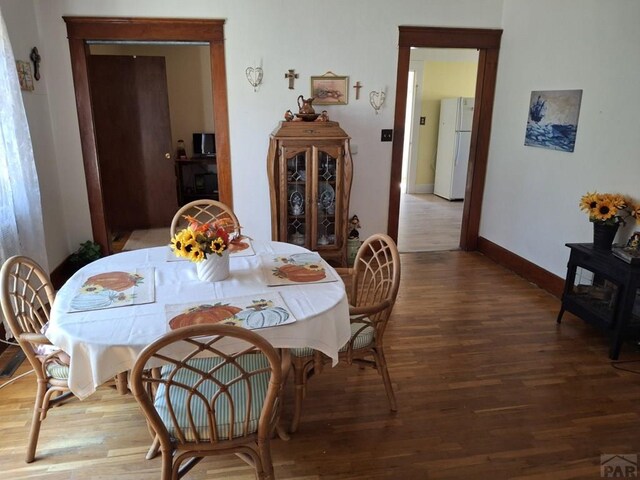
356,38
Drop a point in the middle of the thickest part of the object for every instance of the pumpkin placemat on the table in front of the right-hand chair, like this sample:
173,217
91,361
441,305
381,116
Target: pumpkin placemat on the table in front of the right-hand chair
295,269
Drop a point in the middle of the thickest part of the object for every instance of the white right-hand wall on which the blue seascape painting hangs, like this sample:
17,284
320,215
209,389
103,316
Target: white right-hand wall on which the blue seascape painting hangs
531,197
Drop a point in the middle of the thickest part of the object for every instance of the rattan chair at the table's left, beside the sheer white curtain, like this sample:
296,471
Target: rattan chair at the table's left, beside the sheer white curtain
26,295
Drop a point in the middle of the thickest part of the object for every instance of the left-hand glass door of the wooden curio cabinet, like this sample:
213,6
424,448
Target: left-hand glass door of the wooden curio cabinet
296,192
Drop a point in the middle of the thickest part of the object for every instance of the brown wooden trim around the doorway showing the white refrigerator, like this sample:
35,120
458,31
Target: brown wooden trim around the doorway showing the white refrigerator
488,44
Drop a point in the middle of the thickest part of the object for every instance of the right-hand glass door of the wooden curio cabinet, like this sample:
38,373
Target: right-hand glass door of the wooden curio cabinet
327,197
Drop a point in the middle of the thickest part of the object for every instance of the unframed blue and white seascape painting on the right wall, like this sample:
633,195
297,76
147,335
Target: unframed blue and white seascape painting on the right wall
553,119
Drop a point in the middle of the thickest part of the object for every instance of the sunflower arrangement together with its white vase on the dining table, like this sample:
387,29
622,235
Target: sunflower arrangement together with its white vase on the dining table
206,244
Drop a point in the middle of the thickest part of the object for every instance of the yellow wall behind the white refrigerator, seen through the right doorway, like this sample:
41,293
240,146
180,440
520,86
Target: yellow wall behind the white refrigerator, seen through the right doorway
440,80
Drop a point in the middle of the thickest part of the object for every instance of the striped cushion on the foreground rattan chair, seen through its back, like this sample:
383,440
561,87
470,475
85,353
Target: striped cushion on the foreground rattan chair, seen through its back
258,385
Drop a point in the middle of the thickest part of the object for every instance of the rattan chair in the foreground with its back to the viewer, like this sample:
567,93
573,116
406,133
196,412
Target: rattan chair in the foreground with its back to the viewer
205,402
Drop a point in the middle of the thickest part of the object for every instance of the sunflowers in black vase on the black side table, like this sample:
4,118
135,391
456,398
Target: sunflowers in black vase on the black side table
607,211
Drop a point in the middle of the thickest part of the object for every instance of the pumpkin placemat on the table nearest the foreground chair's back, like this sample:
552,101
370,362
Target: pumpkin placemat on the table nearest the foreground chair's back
252,311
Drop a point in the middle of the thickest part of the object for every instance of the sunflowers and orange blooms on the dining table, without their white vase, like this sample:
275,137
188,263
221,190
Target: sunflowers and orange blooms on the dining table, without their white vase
199,240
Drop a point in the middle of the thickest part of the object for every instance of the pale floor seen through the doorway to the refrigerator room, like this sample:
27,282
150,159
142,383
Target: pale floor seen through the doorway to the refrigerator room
428,223
